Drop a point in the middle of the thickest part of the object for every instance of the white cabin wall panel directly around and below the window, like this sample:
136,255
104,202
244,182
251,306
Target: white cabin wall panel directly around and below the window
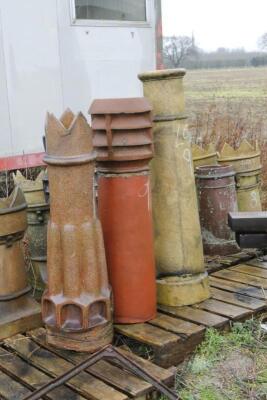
102,61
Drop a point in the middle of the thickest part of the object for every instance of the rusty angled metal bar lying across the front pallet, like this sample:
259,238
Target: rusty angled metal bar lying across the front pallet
106,352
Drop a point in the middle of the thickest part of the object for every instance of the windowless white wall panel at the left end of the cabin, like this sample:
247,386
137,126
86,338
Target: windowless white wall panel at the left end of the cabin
30,39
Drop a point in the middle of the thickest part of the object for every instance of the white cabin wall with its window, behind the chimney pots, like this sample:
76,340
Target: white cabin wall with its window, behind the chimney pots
56,54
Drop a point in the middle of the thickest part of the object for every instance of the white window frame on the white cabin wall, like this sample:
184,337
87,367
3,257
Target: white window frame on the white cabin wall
109,23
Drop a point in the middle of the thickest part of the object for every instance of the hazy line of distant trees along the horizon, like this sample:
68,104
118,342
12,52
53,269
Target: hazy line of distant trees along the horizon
181,51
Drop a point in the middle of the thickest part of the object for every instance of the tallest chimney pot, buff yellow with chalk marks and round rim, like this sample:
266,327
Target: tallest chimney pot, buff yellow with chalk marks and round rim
182,279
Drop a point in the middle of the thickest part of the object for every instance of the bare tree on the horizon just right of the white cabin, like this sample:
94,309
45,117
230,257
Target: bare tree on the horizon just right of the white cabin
177,48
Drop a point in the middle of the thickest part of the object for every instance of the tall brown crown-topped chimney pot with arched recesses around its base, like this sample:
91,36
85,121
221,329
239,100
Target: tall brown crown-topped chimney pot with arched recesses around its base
76,306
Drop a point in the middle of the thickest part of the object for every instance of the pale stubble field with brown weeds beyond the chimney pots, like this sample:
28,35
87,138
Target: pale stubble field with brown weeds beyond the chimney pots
227,105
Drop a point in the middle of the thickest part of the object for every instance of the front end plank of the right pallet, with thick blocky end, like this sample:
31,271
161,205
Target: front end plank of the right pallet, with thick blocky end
166,346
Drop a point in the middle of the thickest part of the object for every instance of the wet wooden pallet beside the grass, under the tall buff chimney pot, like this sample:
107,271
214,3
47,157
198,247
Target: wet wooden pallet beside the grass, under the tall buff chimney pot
238,293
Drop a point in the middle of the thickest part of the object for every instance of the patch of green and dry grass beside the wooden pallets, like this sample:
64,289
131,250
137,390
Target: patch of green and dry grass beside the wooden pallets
226,366
